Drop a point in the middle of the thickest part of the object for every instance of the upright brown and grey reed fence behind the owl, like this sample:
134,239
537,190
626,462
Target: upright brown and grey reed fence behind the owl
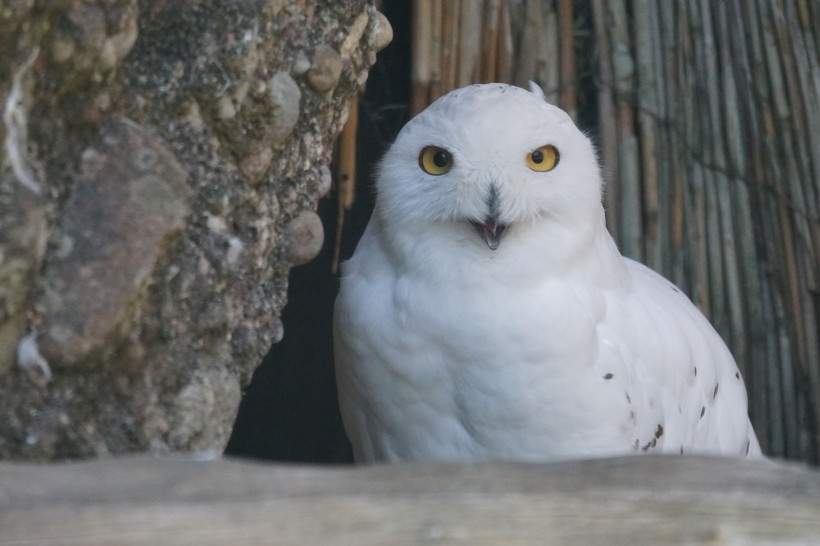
708,129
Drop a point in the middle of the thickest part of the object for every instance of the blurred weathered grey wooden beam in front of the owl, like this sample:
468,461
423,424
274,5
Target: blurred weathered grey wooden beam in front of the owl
634,500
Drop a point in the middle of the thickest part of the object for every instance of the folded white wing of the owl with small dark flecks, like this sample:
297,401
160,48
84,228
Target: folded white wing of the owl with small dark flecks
684,388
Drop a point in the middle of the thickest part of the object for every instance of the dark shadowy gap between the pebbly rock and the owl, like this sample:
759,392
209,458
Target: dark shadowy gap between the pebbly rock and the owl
289,411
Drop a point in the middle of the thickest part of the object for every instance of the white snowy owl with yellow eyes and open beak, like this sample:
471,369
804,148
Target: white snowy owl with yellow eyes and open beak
487,314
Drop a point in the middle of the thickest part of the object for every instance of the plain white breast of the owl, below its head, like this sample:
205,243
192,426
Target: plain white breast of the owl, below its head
451,376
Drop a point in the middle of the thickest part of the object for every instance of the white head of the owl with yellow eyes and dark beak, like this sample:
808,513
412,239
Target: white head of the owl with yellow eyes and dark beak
491,156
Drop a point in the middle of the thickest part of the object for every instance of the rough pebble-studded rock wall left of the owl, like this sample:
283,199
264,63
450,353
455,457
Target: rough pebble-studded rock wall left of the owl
161,165
